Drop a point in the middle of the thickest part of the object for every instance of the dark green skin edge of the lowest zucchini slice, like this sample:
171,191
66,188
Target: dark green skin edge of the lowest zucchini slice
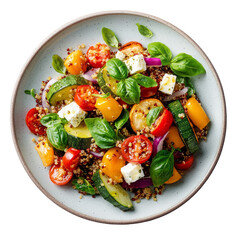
105,194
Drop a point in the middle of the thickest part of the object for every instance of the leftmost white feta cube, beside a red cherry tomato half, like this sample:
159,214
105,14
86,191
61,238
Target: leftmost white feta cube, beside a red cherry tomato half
73,113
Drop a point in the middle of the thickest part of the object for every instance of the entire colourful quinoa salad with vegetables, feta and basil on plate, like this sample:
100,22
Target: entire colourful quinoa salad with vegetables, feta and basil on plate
118,120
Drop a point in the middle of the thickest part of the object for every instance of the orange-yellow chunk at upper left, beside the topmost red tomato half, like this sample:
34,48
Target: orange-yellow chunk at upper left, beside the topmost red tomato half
76,63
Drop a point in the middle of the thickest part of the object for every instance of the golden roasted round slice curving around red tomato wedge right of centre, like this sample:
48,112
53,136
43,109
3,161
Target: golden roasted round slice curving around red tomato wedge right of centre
139,113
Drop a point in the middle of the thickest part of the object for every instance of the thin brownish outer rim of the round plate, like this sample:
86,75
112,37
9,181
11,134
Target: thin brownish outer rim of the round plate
88,17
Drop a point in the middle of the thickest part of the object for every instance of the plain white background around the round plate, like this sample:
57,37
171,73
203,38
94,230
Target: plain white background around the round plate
212,213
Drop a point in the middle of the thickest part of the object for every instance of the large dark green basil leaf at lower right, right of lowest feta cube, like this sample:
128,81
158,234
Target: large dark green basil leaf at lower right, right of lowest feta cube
161,168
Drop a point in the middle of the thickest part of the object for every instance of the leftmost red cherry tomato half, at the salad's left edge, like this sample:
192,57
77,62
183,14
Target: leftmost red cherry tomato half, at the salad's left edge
33,122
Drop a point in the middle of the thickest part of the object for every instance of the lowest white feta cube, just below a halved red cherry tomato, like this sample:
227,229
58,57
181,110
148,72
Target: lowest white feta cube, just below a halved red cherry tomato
132,172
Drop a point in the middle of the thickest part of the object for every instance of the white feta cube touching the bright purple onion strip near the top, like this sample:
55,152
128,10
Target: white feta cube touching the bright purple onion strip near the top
136,64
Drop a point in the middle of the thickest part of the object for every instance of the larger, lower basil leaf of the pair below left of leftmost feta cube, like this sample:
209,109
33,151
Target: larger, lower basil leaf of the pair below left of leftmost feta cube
57,136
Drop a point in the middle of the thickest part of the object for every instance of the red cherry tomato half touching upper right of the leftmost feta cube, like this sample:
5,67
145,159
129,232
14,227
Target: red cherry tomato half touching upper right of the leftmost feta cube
83,97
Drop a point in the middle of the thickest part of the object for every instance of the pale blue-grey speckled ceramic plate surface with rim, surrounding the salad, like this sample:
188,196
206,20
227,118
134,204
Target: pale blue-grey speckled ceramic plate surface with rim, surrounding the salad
87,30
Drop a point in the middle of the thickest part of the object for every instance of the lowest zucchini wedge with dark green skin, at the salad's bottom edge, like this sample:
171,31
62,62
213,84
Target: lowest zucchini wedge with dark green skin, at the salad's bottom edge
114,194
